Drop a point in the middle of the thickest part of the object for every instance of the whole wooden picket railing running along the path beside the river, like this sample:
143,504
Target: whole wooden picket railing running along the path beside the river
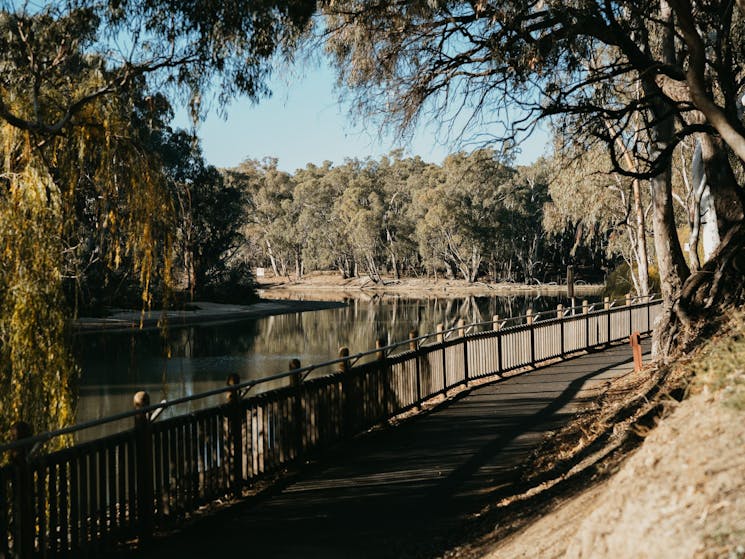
92,497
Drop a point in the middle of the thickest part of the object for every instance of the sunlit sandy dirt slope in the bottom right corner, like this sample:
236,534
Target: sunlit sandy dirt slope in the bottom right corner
680,494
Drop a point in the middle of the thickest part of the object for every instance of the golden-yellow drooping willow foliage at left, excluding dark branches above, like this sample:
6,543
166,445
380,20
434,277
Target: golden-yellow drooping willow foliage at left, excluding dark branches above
103,166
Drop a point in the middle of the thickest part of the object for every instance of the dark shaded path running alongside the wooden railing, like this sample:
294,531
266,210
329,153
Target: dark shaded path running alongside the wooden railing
399,492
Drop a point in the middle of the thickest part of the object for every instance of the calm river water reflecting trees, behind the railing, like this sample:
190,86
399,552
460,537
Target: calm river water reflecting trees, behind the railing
193,359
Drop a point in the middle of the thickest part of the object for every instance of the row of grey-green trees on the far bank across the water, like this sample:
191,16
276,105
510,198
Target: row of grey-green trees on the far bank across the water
471,217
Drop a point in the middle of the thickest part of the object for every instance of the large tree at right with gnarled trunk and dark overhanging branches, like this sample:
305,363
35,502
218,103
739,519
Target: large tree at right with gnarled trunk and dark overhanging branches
539,58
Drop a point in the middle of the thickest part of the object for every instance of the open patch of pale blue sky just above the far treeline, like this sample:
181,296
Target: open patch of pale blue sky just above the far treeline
304,122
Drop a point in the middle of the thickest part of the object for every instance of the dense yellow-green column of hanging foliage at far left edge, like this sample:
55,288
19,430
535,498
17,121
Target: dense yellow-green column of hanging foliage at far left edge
37,372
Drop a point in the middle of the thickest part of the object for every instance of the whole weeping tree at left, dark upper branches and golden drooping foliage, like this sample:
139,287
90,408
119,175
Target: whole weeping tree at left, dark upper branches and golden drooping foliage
74,78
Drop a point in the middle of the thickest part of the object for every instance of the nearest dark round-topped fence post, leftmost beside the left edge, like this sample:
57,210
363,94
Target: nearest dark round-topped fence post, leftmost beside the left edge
23,534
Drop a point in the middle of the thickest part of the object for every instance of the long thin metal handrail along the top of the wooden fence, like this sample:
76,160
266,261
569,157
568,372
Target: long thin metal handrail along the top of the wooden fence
244,387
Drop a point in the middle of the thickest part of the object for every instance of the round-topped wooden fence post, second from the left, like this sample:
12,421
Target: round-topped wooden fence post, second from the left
144,468
